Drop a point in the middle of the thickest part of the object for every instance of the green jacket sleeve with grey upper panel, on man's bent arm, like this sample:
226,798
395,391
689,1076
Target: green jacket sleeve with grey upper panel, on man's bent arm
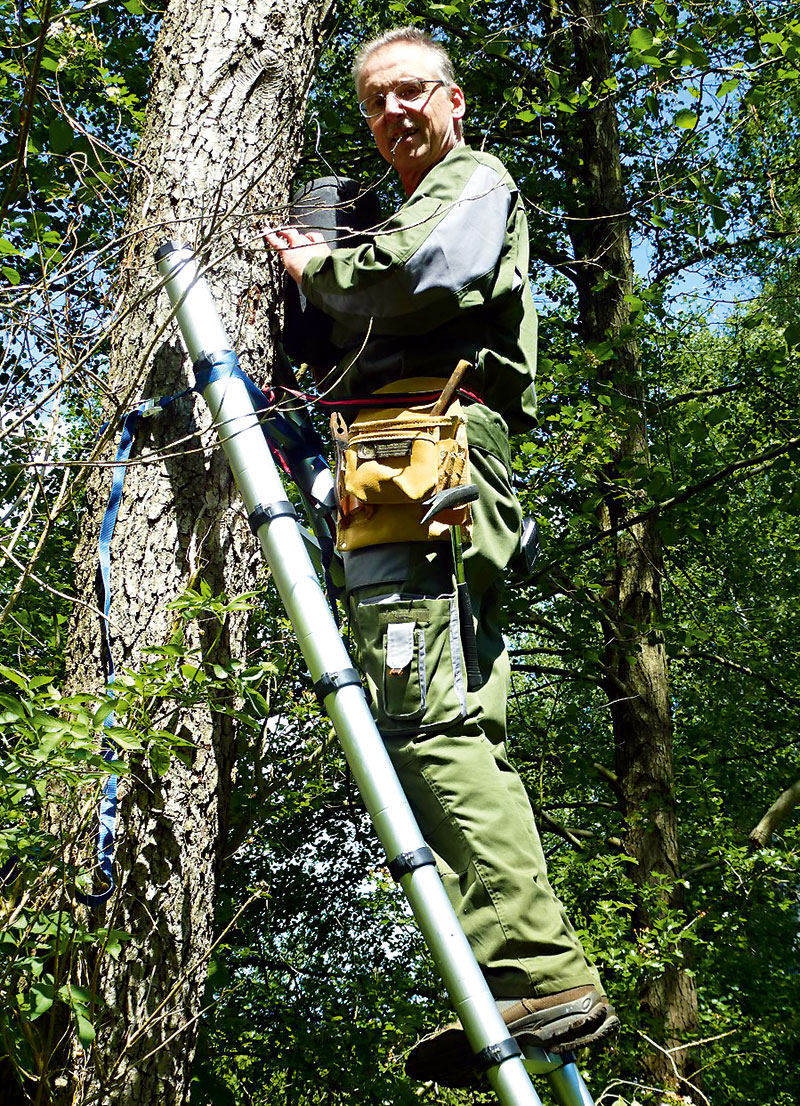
437,257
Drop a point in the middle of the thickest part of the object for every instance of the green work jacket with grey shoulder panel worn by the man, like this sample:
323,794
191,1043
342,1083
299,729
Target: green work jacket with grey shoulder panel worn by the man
444,279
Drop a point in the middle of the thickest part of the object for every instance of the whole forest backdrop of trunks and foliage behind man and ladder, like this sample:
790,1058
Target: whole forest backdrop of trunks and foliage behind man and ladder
255,950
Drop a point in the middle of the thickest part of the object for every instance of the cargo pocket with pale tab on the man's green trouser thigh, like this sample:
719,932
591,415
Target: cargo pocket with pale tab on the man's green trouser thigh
411,653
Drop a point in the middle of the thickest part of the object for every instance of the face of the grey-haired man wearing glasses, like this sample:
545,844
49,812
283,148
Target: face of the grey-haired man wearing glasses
412,138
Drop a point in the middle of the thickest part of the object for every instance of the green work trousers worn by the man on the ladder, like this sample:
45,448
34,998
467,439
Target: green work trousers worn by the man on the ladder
449,745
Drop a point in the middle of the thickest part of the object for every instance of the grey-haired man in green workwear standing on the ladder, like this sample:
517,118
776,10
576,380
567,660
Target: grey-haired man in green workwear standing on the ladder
443,283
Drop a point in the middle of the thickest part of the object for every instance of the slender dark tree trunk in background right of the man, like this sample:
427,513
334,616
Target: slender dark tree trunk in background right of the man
638,685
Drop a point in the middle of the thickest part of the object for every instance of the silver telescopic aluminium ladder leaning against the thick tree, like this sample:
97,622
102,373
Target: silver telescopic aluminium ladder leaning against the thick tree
274,520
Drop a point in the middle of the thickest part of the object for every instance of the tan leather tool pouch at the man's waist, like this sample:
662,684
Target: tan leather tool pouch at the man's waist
391,461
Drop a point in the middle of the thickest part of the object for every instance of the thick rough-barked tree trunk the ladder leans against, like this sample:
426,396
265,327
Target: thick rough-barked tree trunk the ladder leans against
221,143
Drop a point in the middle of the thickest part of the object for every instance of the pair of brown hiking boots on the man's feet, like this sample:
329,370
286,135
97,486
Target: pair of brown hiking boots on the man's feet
557,1022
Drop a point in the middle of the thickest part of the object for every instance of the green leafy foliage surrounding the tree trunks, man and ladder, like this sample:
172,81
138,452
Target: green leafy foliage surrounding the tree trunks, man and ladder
318,983
